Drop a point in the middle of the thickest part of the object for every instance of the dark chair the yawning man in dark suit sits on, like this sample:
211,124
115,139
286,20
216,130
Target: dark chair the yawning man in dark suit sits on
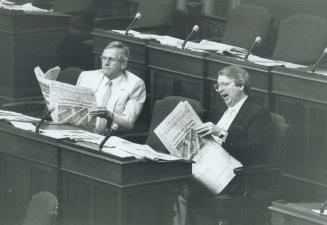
261,187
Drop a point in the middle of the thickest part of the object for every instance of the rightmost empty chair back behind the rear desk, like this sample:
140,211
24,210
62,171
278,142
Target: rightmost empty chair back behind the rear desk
301,39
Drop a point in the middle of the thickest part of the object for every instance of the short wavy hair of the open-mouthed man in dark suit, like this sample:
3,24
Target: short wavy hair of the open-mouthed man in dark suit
238,74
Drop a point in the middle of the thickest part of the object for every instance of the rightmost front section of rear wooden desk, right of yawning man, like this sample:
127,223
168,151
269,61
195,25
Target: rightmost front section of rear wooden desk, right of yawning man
302,99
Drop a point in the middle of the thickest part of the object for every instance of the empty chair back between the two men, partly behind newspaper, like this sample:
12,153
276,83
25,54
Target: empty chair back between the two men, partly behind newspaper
161,110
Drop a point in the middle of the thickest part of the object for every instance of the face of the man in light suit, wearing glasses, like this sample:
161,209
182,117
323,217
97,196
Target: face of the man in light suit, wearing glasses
111,65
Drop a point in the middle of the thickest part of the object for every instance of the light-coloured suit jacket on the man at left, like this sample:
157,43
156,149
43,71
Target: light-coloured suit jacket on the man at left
127,99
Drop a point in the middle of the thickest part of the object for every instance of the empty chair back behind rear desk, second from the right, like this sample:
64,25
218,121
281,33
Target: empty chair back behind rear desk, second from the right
245,23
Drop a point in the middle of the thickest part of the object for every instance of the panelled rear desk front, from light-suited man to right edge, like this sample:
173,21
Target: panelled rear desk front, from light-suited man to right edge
297,95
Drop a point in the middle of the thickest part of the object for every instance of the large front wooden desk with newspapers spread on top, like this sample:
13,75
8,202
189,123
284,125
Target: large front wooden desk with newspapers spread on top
92,187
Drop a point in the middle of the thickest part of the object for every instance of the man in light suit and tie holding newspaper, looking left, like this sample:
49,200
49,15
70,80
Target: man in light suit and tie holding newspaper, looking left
120,94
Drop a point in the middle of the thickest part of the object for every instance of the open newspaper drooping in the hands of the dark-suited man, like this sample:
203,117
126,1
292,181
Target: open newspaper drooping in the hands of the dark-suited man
213,165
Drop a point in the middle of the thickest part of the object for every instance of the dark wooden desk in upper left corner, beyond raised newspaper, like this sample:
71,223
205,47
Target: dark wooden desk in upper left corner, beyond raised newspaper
27,40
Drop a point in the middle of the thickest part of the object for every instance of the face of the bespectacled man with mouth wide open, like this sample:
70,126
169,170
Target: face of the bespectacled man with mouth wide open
230,93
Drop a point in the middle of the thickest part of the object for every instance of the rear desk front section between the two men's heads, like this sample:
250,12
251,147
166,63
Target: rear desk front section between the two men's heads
175,71
